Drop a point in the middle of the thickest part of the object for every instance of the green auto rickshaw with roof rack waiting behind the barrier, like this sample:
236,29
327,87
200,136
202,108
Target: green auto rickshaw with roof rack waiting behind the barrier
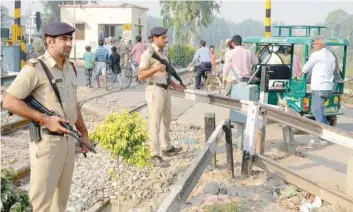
282,85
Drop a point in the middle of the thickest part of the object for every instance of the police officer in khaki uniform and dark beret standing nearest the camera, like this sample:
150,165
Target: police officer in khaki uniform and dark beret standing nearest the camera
52,158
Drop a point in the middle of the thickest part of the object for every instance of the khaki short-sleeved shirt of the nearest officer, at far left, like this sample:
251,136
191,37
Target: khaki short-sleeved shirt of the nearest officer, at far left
33,81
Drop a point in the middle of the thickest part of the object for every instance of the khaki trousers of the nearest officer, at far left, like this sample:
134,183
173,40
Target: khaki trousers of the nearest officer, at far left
52,164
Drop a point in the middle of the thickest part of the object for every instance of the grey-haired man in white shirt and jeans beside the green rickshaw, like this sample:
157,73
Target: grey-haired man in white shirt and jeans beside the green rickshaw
321,64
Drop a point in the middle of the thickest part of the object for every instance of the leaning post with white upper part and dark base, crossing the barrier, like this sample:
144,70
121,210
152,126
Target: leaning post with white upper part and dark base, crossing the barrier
250,139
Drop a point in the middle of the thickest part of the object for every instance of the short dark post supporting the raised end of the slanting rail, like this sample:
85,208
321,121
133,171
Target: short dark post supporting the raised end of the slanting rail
227,127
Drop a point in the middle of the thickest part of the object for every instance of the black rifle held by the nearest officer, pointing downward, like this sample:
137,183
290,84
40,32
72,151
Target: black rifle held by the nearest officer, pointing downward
33,103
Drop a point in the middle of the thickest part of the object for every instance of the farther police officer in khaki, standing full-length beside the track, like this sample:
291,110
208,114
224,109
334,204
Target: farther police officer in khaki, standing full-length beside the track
158,97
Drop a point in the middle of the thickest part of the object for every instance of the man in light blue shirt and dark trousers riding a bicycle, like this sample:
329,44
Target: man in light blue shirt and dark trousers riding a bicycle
202,56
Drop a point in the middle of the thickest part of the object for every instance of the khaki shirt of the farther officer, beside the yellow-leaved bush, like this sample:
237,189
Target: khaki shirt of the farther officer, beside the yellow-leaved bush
147,62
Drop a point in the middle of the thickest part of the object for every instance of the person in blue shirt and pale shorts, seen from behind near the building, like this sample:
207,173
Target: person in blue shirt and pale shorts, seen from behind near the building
101,59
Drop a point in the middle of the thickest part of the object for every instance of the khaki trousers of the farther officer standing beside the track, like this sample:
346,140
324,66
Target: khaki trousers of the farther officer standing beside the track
160,116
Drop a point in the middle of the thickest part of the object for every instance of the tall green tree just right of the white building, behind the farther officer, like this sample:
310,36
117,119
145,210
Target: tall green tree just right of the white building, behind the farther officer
188,17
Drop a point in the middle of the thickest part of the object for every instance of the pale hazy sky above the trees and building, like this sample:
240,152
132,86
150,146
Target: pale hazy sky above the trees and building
290,12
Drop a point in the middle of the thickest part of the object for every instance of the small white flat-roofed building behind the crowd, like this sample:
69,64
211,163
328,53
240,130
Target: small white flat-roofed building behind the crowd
117,20
